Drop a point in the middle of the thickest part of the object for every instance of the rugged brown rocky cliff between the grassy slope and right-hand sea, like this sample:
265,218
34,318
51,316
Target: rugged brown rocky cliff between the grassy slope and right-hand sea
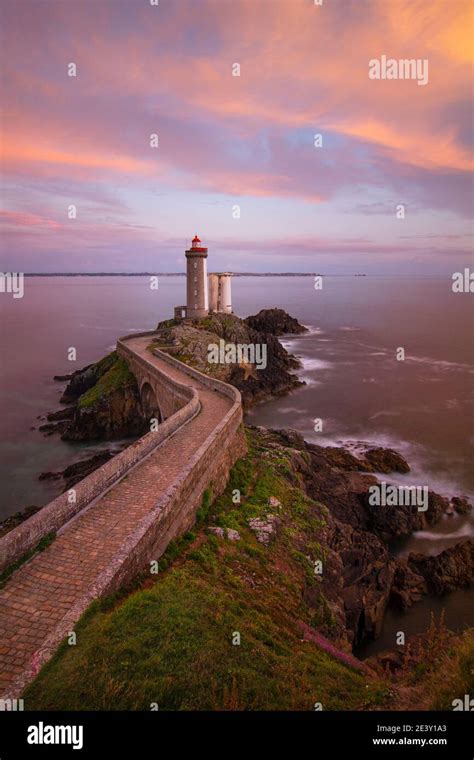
361,577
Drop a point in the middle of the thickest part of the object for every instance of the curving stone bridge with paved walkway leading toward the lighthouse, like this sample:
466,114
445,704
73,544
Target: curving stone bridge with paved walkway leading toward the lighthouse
122,516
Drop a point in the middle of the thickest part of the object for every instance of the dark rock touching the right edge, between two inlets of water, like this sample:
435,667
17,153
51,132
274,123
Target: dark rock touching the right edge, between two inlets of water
452,569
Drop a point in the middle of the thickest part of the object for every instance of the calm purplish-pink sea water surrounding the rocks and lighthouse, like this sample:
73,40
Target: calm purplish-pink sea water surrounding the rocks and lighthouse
422,406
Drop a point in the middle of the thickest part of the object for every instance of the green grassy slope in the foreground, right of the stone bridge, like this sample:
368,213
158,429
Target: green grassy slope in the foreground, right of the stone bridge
169,640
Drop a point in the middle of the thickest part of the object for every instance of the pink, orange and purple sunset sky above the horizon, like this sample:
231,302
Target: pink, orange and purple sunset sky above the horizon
236,160
